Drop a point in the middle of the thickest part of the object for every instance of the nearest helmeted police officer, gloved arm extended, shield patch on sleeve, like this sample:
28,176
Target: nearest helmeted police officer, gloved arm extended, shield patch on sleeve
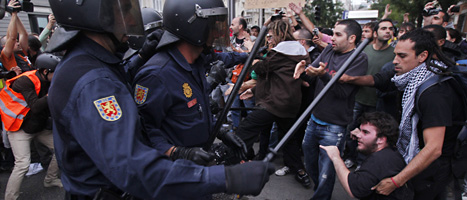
97,128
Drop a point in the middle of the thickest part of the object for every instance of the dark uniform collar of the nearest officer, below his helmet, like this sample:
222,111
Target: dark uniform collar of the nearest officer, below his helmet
97,51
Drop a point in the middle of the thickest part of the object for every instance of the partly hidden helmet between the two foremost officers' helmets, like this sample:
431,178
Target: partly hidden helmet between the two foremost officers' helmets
152,20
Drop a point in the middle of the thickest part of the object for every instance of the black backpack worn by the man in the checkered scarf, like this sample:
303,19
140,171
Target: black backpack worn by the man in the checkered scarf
457,79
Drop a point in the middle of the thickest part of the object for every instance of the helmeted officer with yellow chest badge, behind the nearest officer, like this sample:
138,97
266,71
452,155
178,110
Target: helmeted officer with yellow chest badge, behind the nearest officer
171,89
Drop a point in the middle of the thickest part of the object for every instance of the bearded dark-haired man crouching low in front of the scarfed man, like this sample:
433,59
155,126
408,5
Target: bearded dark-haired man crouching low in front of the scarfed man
376,138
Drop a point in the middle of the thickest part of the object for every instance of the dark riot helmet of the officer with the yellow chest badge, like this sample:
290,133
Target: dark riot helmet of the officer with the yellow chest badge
192,21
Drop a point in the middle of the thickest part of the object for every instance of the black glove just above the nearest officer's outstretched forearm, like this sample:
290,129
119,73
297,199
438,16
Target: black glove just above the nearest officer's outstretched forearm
195,154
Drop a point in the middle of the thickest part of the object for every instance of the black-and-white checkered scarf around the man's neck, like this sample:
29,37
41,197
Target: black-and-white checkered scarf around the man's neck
407,144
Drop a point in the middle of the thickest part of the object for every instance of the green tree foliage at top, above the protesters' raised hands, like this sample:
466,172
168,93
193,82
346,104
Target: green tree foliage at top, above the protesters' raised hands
330,12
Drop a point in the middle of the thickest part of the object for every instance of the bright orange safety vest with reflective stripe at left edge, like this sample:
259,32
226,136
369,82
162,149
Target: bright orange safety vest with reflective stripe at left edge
13,106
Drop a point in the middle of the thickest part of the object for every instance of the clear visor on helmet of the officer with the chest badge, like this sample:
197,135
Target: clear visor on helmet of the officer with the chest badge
220,31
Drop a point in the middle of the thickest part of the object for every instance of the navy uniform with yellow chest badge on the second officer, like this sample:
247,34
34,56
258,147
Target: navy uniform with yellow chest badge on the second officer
173,98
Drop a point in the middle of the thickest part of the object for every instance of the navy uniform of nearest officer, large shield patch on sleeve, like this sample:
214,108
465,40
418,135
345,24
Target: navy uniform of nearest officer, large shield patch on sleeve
97,134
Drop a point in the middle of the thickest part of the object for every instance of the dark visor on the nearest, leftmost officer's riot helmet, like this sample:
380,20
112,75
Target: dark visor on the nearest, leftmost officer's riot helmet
121,17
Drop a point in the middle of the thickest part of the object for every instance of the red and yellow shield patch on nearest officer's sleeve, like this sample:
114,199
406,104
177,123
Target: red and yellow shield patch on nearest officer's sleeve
108,108
